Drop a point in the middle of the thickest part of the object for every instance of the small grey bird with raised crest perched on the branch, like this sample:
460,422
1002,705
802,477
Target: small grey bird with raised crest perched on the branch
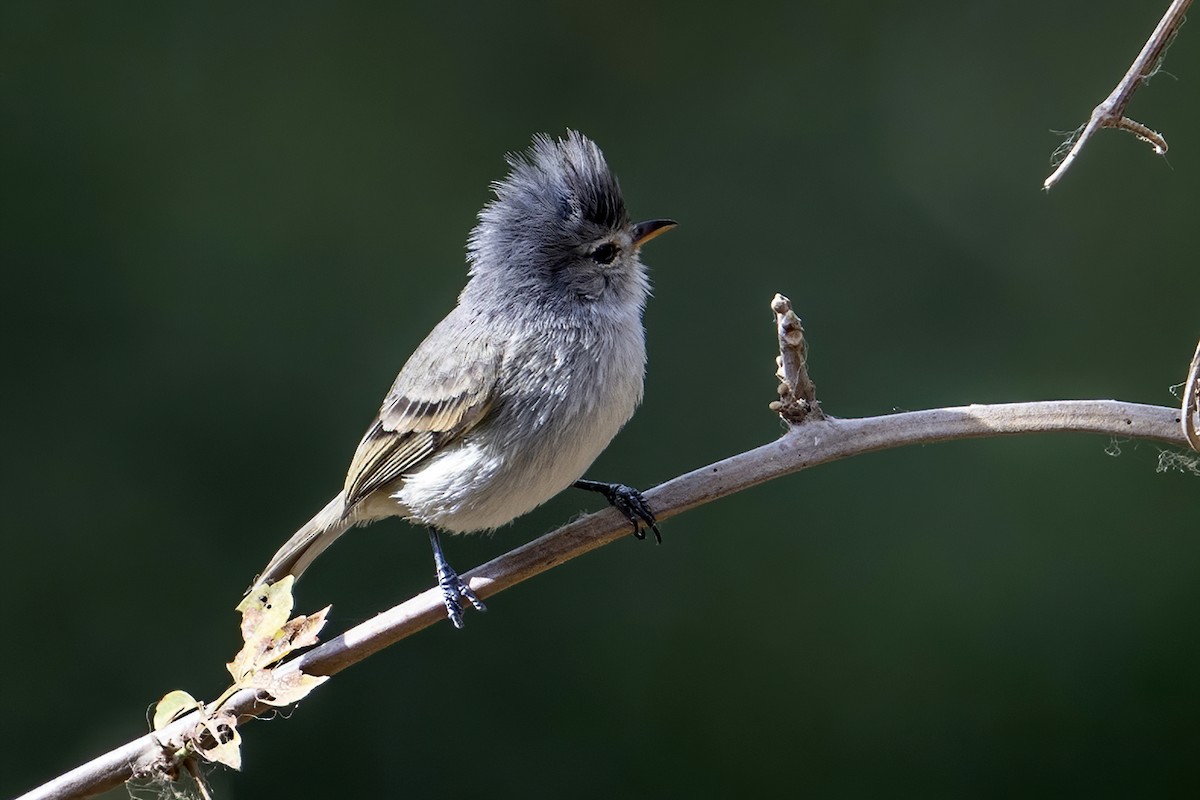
514,395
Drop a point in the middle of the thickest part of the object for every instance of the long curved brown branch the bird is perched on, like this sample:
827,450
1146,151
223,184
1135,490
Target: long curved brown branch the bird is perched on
817,442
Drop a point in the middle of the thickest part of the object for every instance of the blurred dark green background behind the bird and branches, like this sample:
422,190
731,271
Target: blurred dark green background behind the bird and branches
225,228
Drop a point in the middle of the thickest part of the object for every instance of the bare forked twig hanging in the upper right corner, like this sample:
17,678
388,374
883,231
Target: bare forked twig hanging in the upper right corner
1111,115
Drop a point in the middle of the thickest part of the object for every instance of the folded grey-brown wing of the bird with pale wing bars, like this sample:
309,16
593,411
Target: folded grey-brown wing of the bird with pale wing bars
445,390
